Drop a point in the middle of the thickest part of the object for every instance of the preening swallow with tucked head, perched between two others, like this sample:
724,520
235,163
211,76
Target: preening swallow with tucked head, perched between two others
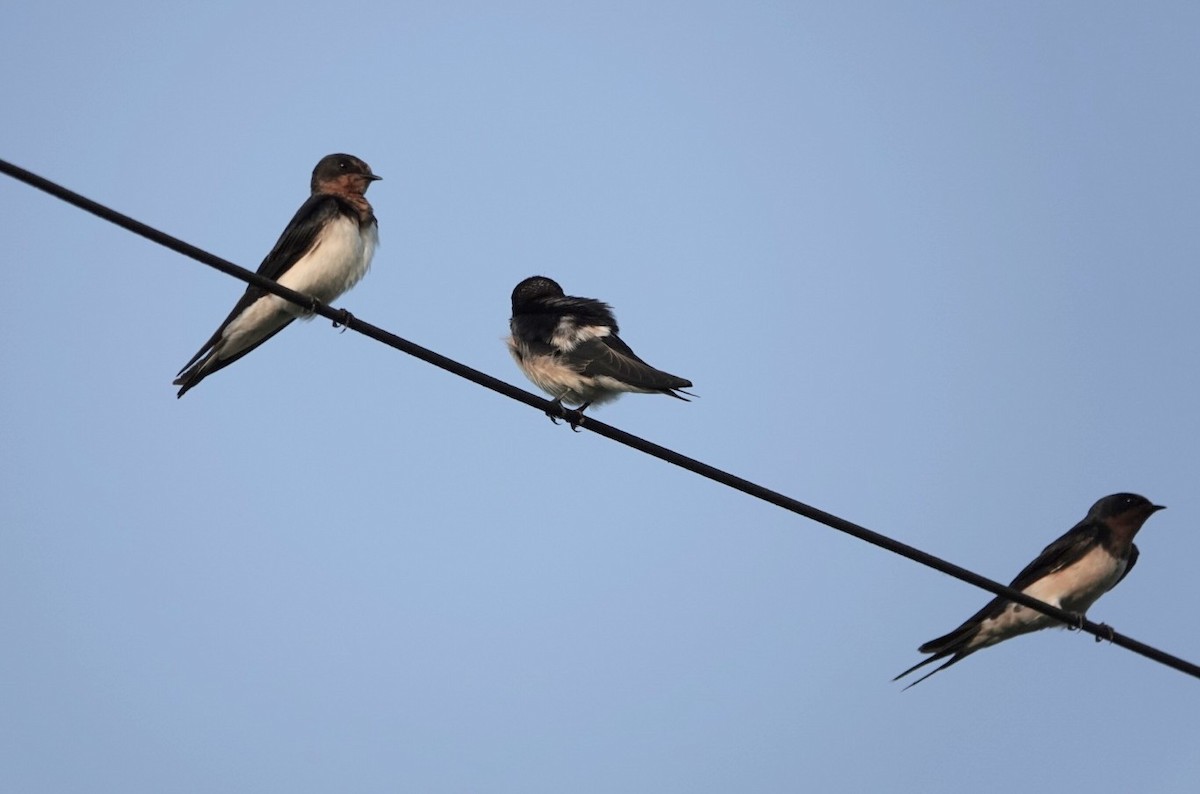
569,348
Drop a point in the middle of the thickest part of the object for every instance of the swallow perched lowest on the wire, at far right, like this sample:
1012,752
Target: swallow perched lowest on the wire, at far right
1070,574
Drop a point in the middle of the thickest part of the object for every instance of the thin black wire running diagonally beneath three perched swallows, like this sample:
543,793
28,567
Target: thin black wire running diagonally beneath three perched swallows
1101,631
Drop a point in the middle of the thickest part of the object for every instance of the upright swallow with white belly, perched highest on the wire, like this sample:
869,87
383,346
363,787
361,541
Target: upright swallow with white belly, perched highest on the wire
325,251
